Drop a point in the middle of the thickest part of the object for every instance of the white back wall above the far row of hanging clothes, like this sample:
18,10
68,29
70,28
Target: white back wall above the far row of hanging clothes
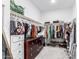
62,14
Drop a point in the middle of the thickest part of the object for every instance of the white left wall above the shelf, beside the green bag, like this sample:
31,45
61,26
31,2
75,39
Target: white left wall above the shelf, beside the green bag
30,10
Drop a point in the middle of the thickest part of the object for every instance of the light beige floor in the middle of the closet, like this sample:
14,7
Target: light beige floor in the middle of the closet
49,52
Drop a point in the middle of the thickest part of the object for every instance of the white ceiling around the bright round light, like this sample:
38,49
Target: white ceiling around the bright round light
46,5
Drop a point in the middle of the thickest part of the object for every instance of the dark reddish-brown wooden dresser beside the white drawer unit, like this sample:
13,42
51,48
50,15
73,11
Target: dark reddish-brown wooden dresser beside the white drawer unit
32,47
